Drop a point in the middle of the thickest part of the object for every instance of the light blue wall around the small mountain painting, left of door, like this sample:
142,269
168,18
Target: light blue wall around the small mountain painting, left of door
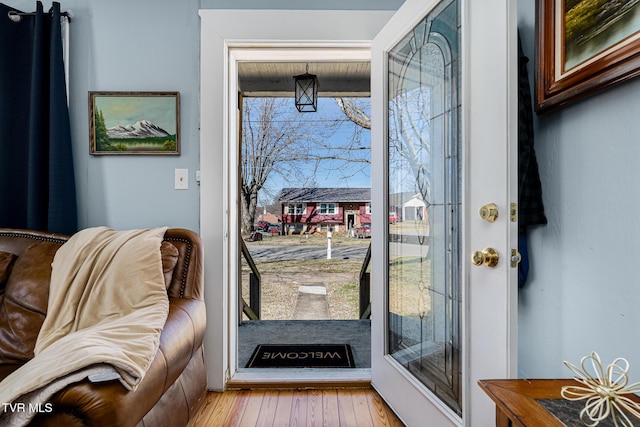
145,45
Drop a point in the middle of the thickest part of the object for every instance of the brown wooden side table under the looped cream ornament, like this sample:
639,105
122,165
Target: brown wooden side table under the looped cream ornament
516,400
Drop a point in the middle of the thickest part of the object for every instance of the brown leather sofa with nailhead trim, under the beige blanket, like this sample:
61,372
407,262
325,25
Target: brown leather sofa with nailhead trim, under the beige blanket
175,384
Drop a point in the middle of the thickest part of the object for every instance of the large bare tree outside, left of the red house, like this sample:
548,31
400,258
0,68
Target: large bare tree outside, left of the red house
277,140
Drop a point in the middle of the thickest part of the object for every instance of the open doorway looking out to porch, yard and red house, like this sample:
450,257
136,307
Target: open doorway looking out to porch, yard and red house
304,190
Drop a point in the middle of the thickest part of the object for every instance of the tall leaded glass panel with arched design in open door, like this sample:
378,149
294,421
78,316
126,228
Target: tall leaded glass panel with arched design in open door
424,203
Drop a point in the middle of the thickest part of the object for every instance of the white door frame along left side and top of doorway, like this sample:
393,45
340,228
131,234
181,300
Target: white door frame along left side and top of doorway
221,32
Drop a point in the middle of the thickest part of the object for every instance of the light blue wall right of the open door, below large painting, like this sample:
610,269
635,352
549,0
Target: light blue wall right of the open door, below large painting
584,288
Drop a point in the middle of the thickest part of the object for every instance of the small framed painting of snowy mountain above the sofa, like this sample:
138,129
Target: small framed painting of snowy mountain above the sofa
140,123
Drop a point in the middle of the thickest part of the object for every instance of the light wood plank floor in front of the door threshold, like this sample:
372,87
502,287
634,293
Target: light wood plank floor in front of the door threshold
334,407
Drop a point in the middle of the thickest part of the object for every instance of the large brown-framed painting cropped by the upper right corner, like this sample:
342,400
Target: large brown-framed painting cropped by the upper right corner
584,47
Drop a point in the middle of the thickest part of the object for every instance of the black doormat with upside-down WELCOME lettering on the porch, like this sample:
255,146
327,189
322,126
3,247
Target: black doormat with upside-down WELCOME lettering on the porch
302,356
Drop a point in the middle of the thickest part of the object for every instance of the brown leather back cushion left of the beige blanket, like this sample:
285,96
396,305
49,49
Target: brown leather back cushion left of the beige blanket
24,304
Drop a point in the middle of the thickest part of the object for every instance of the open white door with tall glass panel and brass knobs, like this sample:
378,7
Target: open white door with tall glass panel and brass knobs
443,323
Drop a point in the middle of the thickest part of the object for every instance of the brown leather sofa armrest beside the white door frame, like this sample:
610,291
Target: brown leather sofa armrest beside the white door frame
109,403
